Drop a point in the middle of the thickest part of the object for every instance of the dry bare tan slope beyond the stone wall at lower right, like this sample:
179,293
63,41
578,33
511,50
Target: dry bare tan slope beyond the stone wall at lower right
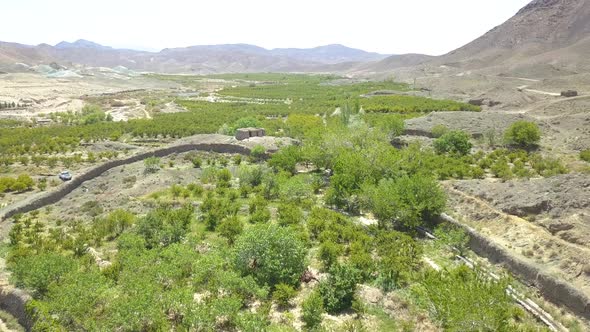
557,253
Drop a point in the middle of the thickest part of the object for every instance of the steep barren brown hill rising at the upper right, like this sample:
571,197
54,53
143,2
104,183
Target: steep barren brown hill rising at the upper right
549,32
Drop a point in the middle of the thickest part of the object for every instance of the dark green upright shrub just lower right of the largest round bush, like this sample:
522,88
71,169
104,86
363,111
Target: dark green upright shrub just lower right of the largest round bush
338,289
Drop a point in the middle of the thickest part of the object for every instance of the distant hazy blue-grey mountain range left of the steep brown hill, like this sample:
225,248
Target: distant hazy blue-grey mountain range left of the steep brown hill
196,59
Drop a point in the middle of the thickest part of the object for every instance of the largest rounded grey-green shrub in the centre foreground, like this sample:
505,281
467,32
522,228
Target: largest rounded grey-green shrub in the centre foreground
271,254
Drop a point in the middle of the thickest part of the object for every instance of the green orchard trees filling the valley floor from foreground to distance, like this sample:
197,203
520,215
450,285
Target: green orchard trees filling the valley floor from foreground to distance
255,237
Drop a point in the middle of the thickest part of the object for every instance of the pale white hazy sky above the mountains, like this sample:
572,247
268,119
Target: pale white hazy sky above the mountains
386,26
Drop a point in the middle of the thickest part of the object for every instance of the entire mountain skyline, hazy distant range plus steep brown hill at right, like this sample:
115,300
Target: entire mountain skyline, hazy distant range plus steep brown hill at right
546,37
